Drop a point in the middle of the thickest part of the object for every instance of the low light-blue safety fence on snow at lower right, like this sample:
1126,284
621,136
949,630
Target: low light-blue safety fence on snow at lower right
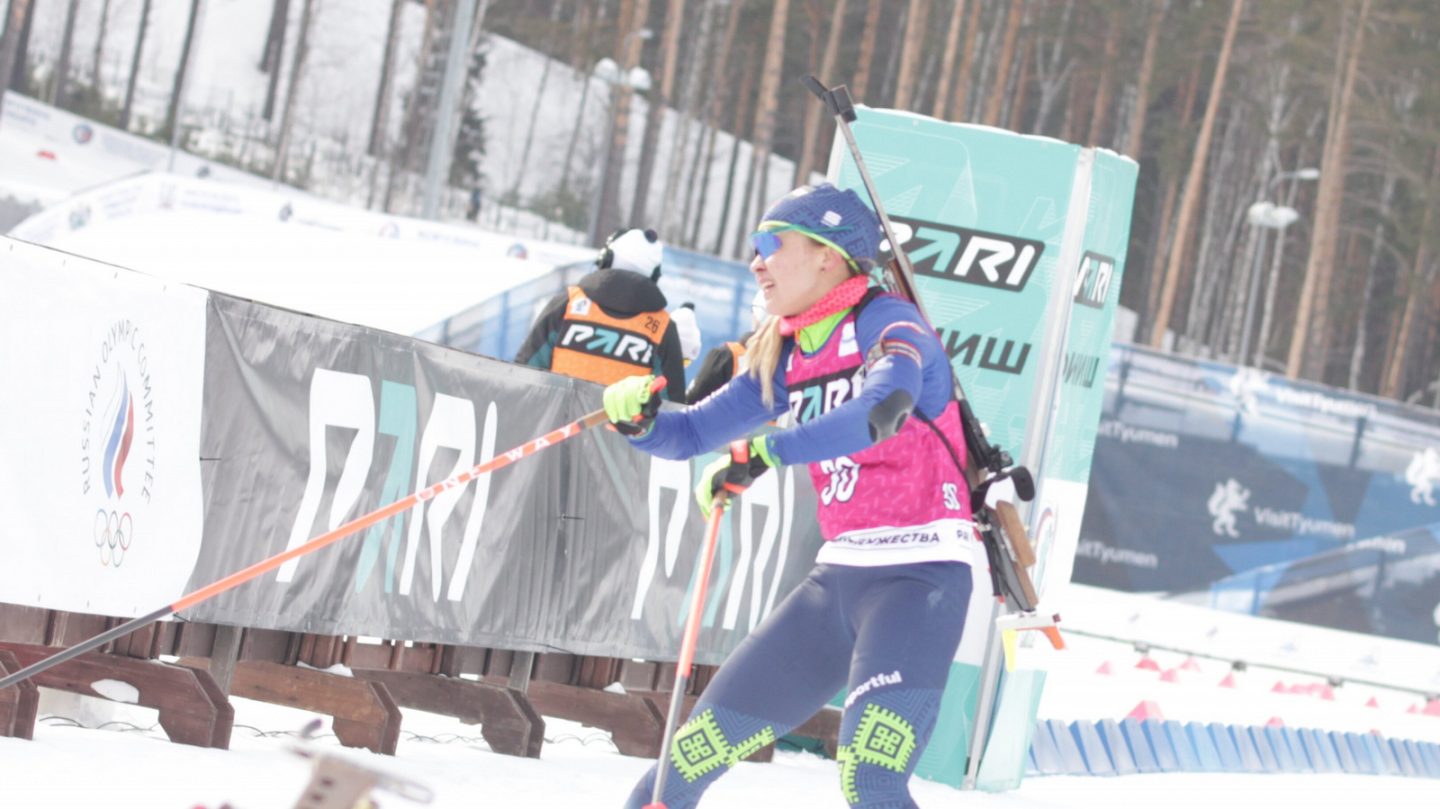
1111,748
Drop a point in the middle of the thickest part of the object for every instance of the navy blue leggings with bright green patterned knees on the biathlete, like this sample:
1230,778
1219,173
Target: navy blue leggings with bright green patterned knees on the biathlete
886,636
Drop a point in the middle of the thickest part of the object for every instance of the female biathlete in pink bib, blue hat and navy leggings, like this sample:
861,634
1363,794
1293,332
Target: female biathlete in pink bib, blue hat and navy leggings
883,610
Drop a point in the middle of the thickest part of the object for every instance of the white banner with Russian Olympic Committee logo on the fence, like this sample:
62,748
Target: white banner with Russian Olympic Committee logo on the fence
102,374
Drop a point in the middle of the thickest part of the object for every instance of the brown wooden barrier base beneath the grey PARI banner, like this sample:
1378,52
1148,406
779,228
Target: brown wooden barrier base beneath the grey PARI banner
506,693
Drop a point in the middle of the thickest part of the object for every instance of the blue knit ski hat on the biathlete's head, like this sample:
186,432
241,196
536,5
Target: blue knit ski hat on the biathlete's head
834,218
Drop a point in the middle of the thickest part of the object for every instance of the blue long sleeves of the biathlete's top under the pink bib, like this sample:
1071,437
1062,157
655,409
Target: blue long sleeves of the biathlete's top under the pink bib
738,410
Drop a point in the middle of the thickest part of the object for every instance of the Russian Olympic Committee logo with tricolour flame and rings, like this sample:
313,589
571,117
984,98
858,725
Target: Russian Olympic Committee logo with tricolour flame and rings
119,441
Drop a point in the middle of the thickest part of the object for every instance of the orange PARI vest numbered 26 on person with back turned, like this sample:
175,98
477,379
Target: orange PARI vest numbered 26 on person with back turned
603,349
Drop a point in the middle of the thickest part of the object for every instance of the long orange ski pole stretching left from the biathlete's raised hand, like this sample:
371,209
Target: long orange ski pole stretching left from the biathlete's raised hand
323,541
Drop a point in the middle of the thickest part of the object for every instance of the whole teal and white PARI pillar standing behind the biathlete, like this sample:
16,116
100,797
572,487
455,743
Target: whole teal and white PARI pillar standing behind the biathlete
1019,247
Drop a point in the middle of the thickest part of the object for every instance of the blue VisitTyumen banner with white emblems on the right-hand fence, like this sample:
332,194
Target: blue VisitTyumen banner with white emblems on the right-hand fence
1254,493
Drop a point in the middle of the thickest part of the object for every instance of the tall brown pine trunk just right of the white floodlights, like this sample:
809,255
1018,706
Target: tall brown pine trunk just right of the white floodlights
1310,342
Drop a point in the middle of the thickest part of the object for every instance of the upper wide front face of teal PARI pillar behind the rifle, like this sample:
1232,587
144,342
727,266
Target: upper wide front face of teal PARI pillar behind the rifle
981,214
